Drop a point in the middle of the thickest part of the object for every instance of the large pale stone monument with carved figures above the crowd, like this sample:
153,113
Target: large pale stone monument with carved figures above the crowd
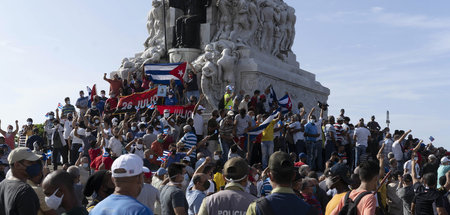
243,43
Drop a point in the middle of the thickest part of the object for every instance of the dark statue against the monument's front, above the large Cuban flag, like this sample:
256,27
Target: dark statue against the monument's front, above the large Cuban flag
188,26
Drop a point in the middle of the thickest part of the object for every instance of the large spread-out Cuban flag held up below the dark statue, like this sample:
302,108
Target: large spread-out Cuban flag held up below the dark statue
163,73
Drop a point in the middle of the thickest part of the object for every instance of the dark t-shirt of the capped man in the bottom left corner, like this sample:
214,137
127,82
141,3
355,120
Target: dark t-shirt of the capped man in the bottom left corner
17,198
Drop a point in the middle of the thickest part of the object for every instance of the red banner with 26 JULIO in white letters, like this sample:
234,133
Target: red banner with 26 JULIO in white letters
137,100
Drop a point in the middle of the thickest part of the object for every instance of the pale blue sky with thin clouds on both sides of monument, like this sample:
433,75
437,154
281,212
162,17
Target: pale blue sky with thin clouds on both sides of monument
373,55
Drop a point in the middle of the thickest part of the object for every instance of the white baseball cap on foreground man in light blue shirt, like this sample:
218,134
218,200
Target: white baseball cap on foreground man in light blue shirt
127,165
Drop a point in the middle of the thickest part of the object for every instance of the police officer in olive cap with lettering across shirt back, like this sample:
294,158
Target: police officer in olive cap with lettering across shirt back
234,199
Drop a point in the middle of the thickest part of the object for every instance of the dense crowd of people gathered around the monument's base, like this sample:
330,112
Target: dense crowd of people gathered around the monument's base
91,160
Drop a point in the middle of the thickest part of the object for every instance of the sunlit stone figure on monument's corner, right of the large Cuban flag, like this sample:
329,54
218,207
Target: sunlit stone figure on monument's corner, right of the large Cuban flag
209,80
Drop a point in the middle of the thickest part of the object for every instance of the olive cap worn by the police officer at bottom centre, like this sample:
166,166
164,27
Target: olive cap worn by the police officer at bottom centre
235,169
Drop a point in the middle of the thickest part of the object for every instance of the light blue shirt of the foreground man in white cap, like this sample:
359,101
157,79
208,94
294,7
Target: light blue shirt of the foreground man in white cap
120,205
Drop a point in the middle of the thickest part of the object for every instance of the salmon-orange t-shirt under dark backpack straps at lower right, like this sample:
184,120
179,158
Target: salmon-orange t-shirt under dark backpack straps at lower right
366,206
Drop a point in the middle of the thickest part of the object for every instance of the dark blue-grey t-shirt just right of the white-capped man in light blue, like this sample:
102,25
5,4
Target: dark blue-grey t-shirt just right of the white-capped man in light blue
172,197
